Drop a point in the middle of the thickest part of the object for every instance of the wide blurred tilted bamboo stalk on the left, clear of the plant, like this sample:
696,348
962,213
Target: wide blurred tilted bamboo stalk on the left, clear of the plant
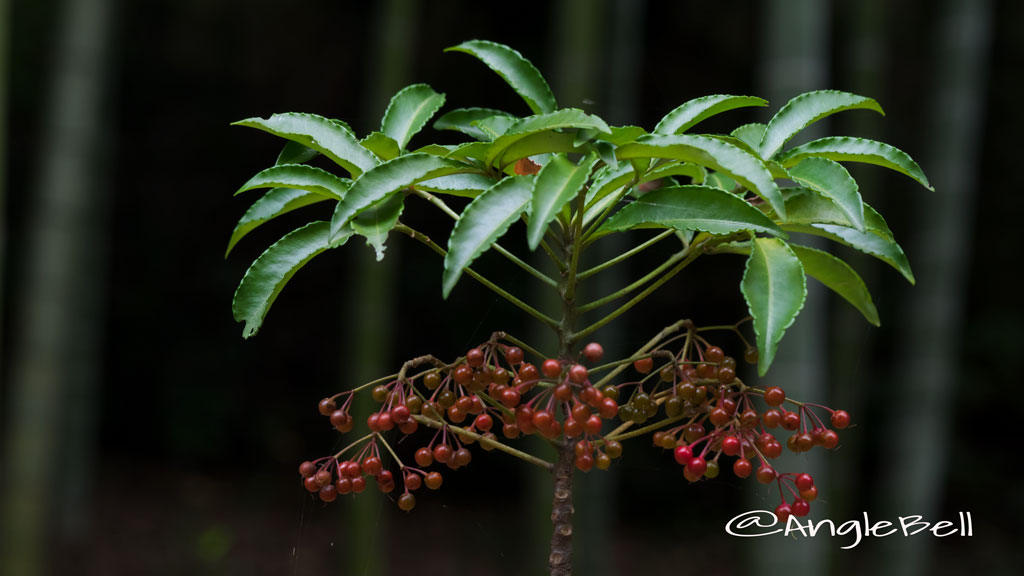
59,322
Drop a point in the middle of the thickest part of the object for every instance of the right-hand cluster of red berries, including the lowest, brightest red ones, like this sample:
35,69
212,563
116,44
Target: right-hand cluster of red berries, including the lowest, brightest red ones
716,416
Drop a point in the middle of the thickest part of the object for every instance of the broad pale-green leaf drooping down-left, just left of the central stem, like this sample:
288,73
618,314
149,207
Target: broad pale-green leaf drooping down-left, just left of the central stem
486,220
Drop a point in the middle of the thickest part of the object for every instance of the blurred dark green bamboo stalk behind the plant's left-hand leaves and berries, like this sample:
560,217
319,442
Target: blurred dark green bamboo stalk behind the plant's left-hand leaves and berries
370,319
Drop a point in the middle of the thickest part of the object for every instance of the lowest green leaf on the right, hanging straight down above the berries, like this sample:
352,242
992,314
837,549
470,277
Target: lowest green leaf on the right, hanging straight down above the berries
775,289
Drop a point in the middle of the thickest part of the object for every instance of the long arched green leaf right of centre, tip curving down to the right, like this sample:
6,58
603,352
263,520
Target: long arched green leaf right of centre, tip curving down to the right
742,167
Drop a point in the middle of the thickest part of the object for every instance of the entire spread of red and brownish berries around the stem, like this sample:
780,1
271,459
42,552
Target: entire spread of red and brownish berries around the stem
702,410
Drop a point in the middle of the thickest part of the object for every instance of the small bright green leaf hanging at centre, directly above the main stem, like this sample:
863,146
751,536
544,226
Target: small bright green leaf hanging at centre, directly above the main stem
557,185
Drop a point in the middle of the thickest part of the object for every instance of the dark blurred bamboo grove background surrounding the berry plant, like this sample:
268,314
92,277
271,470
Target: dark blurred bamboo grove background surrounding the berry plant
142,435
